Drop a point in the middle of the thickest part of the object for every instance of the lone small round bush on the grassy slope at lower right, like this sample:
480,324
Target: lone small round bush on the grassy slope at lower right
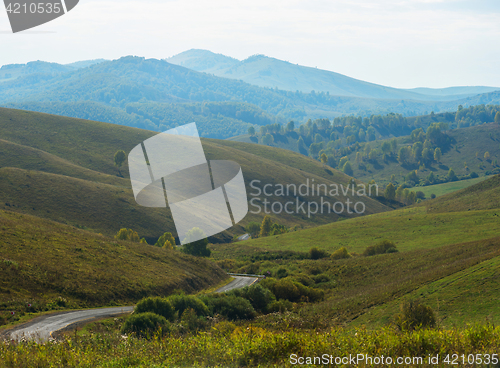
415,315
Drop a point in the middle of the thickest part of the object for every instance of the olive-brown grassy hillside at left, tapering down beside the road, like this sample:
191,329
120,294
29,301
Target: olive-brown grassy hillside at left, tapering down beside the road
41,260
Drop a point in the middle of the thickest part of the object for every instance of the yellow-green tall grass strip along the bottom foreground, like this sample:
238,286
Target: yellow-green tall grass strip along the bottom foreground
229,346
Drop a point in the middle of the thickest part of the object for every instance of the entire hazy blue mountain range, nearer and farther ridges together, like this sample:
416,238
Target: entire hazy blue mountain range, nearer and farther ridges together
157,95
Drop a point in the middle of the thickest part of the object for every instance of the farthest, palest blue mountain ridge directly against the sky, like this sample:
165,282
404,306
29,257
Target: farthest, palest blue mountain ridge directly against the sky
268,72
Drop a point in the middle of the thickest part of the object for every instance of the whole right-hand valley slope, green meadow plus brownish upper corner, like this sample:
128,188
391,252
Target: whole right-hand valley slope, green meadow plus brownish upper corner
469,214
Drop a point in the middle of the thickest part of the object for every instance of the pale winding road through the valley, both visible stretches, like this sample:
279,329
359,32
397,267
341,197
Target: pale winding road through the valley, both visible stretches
42,328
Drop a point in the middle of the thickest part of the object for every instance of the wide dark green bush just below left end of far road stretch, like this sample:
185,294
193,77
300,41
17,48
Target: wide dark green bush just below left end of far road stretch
230,306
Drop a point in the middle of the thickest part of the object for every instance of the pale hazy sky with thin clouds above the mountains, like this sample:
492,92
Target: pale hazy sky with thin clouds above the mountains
406,43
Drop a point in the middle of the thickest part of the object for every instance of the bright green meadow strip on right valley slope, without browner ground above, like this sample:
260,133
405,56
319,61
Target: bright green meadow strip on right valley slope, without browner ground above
410,228
